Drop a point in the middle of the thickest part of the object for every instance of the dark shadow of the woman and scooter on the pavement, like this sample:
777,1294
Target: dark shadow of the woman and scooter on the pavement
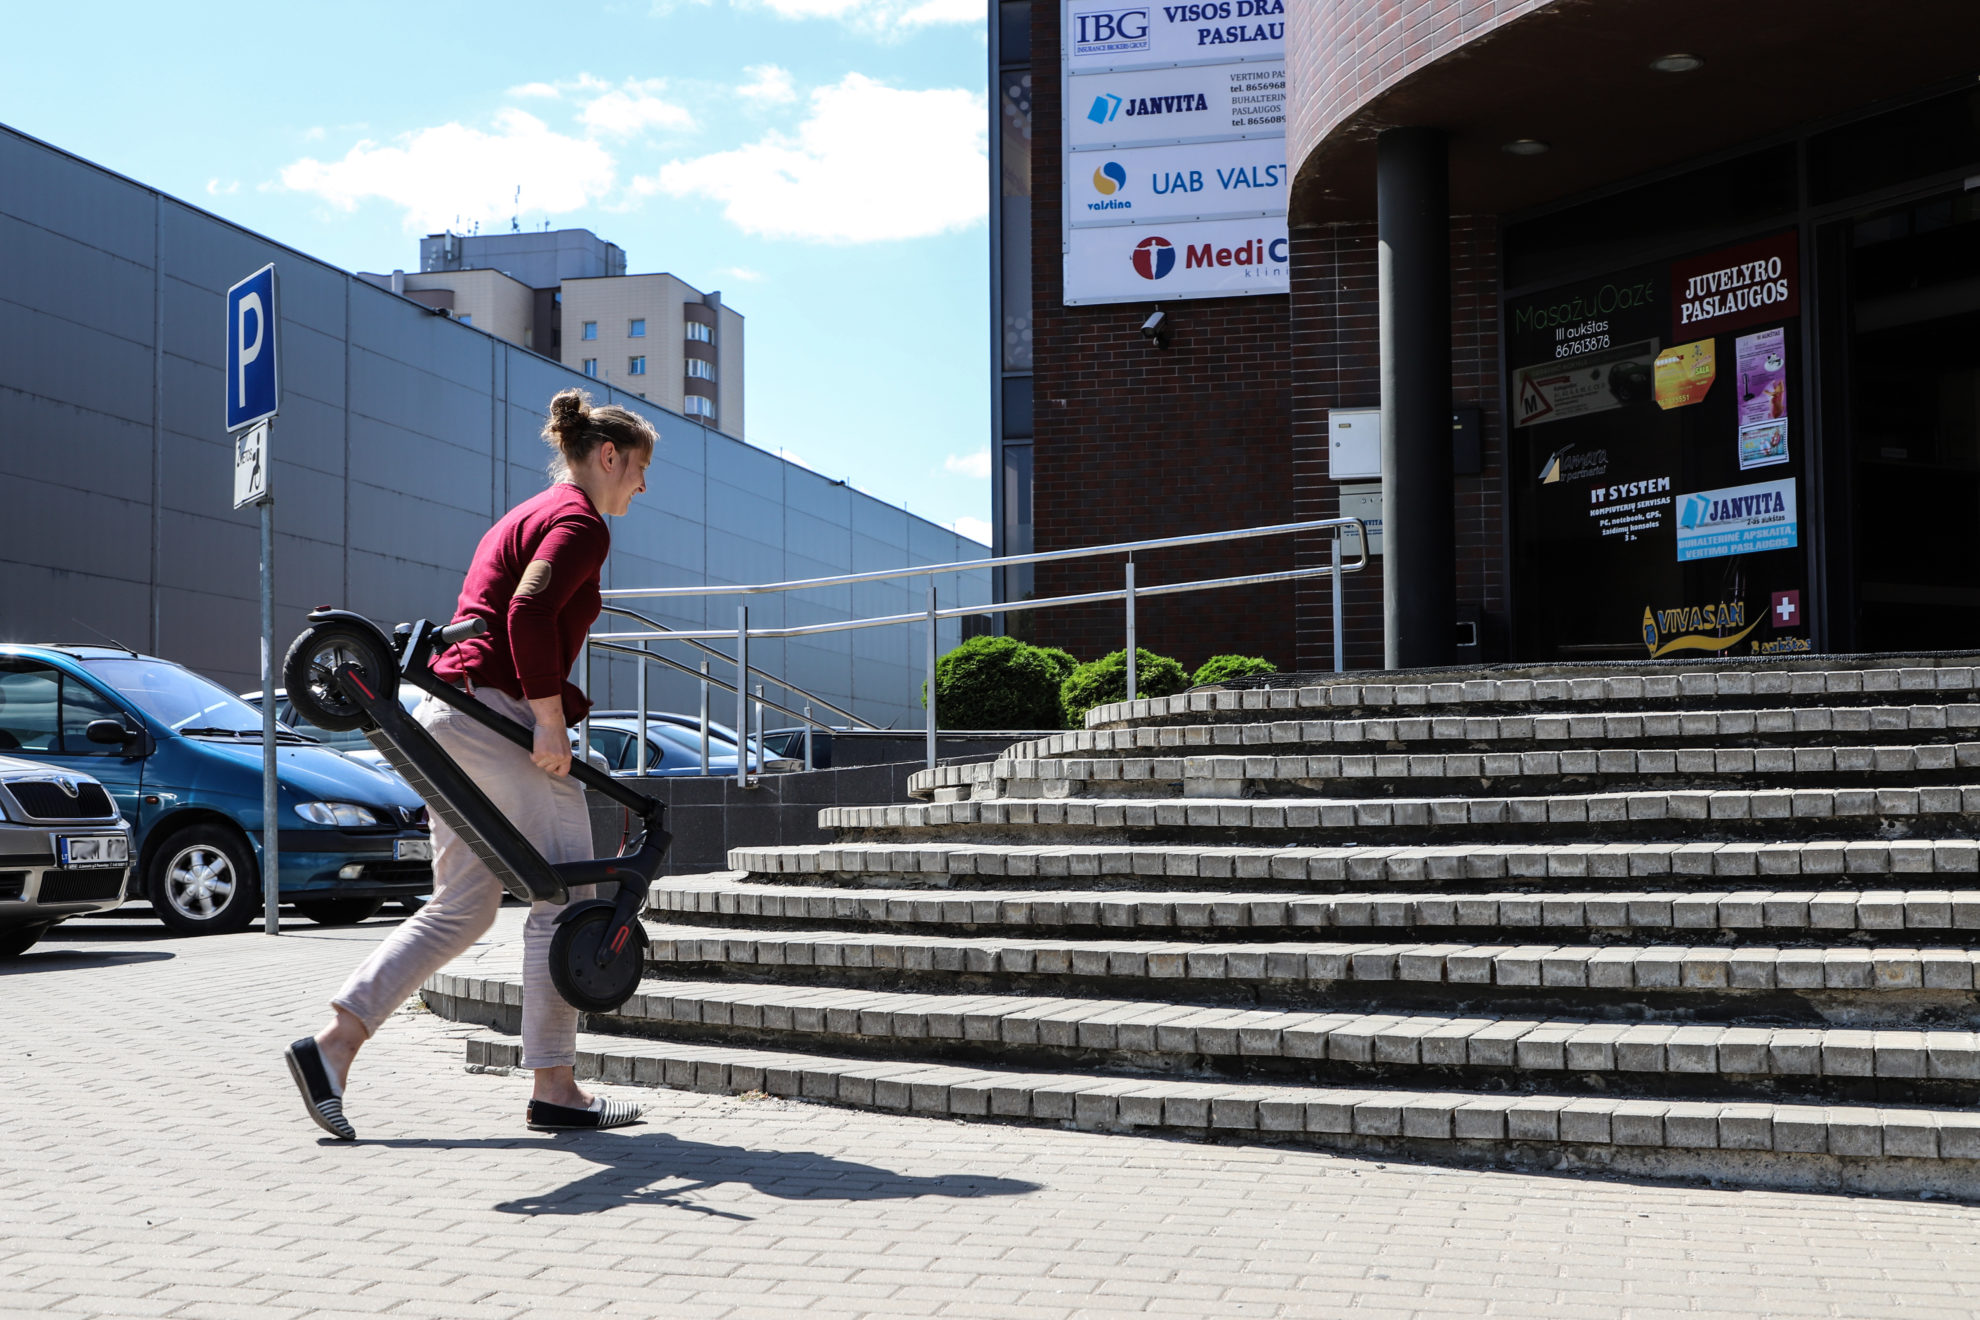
637,1167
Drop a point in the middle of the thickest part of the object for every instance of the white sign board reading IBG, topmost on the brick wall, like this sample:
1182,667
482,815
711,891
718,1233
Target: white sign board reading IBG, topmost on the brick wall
1104,35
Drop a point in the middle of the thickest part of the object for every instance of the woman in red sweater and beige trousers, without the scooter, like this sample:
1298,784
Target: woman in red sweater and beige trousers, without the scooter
536,583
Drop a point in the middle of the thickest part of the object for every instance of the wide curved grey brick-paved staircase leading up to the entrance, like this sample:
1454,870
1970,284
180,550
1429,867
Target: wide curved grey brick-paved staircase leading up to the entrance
1684,919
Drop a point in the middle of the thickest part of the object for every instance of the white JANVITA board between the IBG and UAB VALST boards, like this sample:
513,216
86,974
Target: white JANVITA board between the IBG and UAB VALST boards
1175,106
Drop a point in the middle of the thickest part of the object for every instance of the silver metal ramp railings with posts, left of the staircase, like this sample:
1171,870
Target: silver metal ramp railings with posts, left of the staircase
932,616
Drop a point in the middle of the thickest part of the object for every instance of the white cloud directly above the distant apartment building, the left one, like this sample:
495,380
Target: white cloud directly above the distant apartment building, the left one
452,171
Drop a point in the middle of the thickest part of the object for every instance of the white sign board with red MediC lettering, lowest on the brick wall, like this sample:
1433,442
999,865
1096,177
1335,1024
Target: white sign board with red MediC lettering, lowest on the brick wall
1189,260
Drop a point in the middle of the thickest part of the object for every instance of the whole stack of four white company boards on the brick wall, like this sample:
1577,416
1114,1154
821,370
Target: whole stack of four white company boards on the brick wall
1173,149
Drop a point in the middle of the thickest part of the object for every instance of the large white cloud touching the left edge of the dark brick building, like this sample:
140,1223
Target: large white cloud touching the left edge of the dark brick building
870,163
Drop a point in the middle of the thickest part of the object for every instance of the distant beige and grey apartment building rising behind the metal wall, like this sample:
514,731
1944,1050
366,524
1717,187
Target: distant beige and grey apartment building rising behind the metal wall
565,294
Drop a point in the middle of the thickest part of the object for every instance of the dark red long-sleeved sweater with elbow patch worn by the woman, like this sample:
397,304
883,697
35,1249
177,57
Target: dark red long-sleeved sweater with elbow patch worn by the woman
534,640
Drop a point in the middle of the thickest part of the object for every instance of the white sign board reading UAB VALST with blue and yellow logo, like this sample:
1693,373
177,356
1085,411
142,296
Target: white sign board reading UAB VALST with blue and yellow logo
1205,181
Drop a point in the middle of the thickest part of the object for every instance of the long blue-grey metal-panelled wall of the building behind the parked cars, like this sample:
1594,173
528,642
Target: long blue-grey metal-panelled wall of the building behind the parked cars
403,434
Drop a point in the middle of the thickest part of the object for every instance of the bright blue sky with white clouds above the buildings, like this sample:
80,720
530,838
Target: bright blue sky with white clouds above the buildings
819,161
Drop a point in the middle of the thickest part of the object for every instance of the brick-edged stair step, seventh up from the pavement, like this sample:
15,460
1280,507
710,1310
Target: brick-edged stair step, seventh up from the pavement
1235,777
